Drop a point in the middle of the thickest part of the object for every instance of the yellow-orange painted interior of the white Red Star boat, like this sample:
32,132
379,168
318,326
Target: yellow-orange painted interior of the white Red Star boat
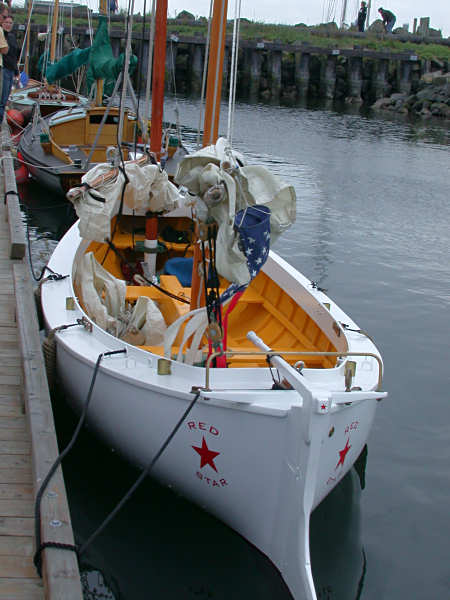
264,308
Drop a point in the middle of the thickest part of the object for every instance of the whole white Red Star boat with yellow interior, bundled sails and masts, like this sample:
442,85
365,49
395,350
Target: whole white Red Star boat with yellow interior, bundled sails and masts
276,386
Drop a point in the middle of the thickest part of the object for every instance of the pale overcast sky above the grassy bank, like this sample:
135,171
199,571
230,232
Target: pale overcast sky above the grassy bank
312,12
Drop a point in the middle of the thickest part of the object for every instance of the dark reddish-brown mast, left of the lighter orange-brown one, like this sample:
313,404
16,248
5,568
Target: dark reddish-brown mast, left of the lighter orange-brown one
159,66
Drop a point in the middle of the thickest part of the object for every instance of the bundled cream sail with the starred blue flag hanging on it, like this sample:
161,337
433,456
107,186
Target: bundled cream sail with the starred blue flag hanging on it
250,205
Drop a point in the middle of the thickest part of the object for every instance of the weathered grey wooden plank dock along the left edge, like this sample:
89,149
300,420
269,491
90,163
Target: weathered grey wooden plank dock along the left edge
28,445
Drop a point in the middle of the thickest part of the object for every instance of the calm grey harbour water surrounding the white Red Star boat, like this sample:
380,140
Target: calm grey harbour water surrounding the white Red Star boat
373,229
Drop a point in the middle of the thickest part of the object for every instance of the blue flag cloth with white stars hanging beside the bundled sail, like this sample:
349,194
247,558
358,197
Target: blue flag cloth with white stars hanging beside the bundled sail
252,225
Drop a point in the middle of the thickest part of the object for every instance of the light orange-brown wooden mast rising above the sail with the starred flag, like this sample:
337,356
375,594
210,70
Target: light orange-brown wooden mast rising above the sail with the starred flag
215,72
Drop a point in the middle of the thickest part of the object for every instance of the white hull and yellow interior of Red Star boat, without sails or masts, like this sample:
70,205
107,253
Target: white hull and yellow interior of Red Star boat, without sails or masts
258,458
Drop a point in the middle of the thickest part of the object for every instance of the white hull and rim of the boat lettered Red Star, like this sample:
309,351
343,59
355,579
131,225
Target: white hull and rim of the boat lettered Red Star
275,453
